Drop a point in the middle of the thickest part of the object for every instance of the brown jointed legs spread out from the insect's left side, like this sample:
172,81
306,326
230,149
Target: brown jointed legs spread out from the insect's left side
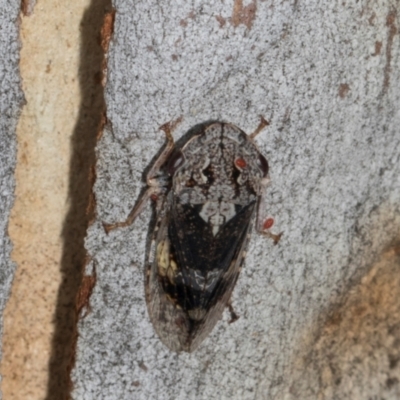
156,185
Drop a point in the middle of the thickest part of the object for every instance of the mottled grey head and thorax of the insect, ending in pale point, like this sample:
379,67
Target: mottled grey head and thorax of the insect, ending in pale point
220,174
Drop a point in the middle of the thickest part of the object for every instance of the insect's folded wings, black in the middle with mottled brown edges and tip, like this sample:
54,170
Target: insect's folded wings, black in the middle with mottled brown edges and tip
183,312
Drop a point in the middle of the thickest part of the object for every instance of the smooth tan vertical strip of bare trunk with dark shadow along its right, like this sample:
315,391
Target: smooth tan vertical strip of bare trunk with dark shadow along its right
39,316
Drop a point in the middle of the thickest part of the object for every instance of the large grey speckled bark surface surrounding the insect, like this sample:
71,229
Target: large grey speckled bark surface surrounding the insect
318,318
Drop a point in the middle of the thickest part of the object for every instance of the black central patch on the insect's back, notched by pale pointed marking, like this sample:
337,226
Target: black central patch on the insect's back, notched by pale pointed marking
202,258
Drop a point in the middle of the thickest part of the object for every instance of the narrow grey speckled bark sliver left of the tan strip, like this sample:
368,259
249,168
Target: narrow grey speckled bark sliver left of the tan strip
11,99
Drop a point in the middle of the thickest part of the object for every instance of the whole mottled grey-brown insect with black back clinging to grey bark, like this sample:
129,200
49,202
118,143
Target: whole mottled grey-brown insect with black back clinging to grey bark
207,194
